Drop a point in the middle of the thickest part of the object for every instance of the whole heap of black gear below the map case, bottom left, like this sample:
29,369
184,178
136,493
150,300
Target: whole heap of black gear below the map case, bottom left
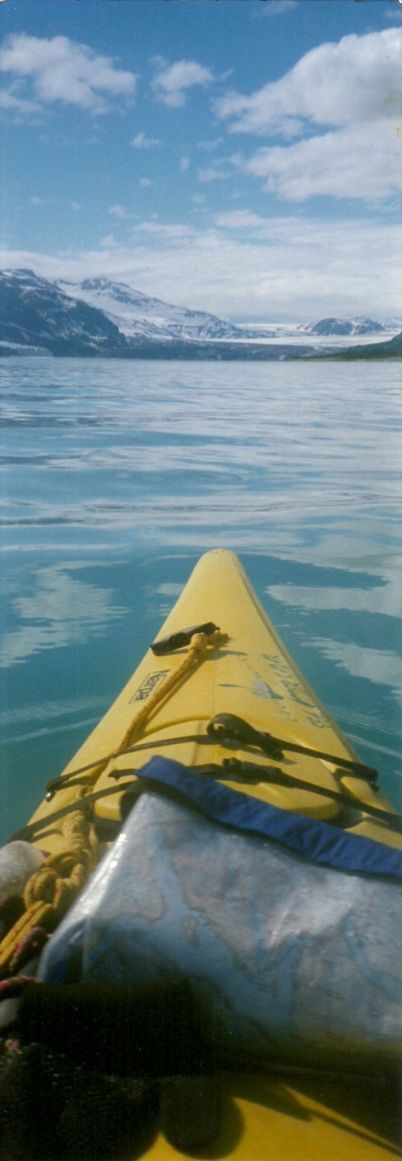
100,1069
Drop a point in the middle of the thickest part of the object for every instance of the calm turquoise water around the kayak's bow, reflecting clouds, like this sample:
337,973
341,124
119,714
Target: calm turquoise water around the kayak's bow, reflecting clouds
117,475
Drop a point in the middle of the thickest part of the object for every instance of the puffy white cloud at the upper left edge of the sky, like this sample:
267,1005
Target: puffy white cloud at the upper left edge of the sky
61,70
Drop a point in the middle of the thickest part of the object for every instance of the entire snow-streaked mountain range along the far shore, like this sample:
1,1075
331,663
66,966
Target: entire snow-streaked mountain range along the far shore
100,318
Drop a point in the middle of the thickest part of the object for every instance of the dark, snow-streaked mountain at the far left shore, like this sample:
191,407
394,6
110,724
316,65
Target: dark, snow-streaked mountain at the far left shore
35,313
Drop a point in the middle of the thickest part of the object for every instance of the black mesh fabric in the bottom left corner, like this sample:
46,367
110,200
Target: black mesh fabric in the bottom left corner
52,1110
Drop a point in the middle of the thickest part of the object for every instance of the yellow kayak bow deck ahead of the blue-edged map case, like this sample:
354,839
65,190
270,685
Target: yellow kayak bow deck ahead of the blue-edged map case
248,674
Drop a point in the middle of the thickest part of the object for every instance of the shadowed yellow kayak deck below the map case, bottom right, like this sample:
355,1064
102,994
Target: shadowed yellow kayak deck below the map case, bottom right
311,1120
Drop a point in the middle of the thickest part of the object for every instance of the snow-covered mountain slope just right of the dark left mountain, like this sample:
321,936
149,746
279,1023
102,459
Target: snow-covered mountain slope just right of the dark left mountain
141,316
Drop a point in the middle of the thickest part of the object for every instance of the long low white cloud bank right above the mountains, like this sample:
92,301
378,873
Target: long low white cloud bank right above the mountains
285,268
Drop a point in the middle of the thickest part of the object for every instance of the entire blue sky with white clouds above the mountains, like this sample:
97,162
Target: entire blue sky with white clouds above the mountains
234,156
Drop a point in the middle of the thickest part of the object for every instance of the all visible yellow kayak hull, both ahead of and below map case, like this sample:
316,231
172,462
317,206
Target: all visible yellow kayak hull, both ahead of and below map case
248,673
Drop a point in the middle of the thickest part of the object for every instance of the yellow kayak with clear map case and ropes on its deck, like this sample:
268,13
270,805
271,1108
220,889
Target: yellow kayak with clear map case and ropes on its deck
216,763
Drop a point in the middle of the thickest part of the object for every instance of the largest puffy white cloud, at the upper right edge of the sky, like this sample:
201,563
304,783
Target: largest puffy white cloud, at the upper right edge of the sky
349,89
